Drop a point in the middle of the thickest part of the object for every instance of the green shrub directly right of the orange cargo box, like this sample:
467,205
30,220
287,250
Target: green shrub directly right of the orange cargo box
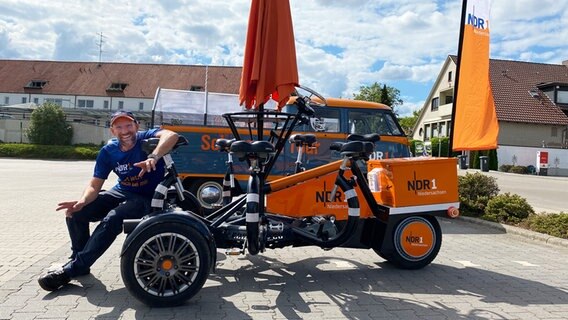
475,190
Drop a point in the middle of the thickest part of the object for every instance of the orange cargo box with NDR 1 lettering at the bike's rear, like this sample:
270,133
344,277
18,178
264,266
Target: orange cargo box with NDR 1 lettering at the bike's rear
402,182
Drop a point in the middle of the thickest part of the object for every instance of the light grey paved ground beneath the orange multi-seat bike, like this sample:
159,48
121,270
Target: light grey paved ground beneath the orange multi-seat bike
480,273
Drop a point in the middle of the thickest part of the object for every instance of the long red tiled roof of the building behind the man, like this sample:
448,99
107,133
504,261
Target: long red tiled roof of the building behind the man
92,79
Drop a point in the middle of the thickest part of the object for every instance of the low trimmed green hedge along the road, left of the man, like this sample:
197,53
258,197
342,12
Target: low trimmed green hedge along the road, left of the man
34,151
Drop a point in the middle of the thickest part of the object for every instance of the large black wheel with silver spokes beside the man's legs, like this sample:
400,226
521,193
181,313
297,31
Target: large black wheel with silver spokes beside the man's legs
166,265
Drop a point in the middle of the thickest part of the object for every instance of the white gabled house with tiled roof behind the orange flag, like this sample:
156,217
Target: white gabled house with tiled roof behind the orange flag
531,101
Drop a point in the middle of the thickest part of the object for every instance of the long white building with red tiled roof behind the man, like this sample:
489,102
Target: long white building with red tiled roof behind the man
89,91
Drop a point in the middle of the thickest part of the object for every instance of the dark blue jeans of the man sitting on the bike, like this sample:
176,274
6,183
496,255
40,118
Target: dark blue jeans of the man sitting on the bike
110,208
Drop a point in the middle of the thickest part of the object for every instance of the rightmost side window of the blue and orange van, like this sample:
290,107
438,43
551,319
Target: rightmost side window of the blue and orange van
366,121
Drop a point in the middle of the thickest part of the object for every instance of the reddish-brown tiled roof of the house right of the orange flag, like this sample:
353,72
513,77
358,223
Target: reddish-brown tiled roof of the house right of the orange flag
511,82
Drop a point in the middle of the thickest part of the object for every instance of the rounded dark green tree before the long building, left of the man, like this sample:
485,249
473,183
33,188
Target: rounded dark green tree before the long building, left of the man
48,126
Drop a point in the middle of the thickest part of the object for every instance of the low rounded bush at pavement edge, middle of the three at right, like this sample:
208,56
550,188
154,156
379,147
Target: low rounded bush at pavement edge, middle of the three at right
508,208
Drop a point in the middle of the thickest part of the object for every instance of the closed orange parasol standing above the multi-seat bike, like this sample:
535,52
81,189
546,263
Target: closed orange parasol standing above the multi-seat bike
269,69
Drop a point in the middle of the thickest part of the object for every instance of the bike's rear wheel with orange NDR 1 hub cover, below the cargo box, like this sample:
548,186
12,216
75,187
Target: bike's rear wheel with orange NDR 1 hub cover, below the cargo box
416,241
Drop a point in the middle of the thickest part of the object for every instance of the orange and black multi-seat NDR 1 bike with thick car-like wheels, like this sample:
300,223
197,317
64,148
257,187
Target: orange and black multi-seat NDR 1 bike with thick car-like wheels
169,254
